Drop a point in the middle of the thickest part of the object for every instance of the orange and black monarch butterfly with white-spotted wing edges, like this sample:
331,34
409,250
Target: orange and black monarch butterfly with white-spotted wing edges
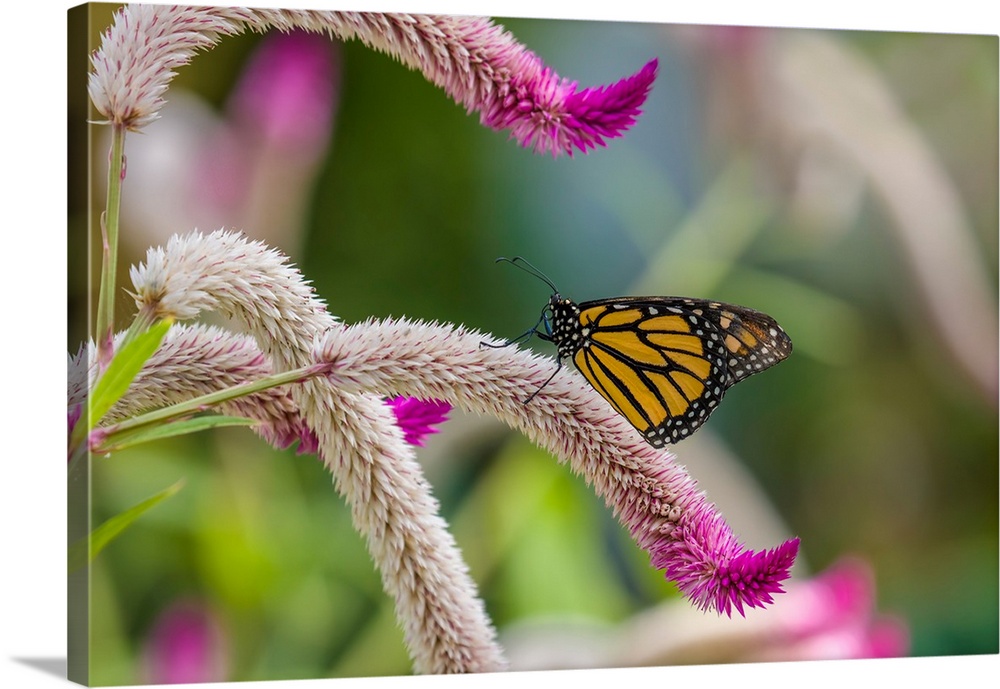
664,363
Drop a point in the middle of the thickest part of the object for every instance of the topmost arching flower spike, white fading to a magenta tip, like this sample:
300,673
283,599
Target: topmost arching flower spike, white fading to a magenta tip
478,63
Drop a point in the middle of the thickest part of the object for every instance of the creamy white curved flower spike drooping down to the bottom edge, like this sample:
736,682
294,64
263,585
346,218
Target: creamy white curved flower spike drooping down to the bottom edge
444,623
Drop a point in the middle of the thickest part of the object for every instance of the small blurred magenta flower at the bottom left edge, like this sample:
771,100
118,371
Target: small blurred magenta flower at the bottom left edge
186,645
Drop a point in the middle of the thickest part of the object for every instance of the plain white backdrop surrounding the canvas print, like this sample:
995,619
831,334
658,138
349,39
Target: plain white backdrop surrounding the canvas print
33,587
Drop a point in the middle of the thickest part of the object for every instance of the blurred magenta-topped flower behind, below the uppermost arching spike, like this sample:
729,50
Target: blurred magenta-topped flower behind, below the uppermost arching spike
255,169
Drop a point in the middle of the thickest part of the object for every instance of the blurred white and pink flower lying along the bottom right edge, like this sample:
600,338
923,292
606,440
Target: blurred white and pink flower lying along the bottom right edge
831,616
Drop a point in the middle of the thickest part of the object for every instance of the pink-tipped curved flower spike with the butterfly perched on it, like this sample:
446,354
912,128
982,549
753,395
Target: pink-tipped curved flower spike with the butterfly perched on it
652,495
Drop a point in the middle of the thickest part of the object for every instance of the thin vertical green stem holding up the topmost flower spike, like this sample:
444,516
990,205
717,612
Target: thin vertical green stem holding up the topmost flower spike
109,240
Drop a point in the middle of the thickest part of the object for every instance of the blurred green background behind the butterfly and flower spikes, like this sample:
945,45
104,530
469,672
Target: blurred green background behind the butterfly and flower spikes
844,182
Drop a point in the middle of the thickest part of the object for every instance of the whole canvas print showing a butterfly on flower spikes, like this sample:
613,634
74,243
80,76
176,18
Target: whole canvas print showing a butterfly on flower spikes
423,344
